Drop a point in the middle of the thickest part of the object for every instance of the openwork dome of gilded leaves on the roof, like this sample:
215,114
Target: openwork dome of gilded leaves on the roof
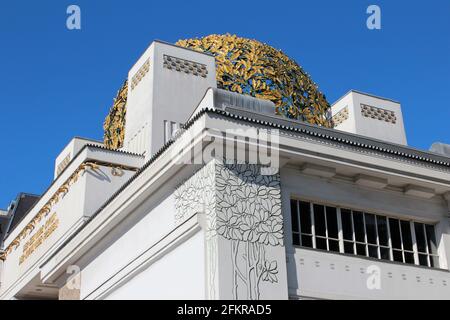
249,67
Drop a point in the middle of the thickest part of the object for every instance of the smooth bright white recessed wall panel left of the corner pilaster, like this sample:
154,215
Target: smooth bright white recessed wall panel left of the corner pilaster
180,274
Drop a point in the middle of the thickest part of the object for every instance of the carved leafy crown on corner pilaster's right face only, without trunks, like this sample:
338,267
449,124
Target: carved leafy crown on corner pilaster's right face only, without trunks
248,205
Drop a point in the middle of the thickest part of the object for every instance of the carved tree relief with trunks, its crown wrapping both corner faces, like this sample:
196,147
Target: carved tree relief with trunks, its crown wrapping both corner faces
245,209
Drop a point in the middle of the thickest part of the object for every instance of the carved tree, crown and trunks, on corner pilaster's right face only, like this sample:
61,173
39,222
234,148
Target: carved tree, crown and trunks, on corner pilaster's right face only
249,215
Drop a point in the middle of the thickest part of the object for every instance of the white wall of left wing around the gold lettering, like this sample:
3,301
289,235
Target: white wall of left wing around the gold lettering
83,198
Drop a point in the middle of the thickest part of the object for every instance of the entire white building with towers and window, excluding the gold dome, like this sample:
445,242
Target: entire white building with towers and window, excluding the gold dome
214,197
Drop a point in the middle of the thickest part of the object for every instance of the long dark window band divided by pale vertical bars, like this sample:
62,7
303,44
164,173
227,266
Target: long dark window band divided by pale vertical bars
355,232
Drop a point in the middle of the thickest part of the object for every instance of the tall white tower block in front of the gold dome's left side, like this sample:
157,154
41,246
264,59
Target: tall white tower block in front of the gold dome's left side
163,95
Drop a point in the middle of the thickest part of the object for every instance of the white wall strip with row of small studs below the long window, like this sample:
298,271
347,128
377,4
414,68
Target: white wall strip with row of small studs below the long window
325,275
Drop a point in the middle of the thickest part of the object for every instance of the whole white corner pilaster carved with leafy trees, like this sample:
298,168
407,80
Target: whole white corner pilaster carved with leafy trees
245,254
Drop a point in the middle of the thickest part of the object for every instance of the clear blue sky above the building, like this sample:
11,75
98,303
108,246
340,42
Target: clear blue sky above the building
56,83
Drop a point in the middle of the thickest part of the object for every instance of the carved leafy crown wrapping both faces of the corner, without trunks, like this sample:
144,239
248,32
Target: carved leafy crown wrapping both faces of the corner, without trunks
247,204
